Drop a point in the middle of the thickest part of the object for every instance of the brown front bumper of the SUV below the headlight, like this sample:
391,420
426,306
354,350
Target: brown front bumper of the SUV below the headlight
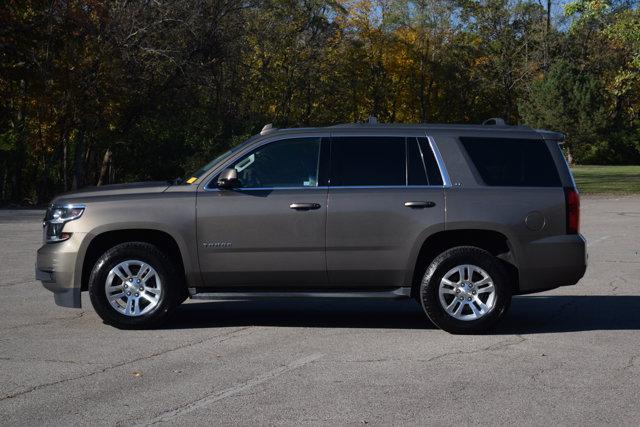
56,269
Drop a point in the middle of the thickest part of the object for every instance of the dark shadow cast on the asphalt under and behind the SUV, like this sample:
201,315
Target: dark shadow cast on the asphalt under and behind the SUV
528,314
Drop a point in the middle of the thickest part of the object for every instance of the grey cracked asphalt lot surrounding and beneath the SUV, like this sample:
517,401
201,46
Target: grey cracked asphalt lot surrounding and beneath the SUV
568,356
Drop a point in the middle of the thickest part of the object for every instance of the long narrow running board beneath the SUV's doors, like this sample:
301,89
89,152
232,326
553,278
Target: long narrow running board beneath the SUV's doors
398,293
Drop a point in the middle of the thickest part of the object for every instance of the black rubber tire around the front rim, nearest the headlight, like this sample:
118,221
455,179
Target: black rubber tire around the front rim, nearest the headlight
173,288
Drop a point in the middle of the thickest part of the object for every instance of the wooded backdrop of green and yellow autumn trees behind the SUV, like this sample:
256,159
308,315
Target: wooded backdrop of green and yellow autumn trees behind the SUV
94,92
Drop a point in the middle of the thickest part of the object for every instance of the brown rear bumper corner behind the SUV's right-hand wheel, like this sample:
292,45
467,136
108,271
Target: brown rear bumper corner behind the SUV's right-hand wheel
553,262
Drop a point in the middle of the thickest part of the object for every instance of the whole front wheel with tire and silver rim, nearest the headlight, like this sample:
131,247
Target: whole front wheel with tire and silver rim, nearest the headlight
135,285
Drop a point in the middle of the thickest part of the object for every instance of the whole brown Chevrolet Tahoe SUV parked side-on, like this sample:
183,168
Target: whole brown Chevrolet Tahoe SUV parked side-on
458,217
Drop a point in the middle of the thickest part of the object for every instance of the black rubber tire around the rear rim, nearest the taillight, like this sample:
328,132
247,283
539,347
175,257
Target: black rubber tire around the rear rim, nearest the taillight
443,263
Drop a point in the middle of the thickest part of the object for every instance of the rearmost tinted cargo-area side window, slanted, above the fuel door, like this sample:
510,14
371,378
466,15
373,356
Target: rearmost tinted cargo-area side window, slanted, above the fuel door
512,162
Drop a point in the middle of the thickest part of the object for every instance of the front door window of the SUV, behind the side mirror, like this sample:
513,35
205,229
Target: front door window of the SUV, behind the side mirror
285,163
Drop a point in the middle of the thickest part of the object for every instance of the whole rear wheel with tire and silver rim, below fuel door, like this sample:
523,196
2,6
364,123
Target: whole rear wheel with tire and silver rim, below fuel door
465,290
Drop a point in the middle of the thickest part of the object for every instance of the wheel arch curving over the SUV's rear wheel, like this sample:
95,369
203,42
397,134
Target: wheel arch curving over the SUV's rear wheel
494,242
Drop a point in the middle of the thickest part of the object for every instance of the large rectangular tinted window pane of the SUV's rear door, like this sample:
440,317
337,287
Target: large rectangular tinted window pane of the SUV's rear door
368,161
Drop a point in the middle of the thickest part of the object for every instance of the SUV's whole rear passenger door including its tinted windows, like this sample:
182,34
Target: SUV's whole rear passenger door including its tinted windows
385,195
